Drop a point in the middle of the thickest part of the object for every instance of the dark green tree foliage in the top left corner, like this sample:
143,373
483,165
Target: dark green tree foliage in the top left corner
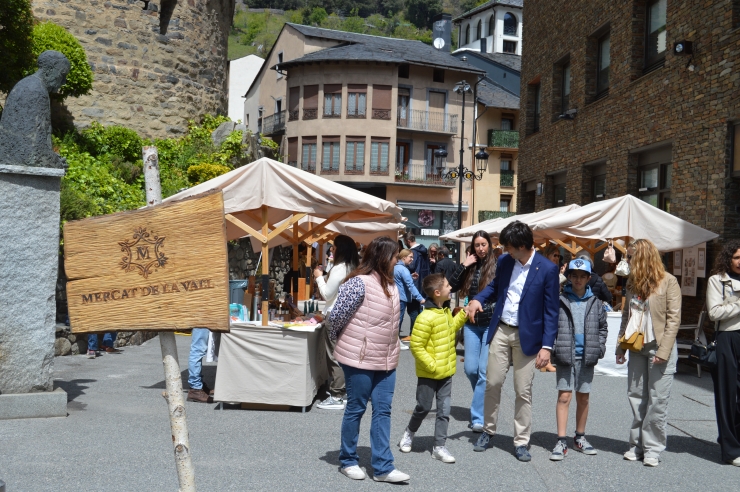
16,44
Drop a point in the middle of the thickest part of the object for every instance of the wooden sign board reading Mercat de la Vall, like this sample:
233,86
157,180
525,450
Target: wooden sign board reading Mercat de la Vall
161,268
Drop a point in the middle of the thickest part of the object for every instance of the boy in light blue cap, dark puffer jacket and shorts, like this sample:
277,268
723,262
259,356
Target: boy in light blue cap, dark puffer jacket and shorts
580,343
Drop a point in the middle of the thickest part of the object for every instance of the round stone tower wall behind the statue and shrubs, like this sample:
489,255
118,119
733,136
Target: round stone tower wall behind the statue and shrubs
154,68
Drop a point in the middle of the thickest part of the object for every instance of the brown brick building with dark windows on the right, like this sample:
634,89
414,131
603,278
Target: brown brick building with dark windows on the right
612,108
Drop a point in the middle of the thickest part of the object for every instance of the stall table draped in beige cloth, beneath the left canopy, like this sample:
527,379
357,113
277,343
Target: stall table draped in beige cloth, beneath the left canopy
270,365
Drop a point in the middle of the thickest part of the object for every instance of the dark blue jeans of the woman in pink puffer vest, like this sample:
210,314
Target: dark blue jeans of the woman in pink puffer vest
361,386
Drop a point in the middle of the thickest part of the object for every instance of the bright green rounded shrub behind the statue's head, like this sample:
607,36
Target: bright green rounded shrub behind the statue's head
49,36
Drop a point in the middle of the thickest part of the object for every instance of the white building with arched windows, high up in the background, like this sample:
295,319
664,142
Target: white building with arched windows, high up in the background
494,27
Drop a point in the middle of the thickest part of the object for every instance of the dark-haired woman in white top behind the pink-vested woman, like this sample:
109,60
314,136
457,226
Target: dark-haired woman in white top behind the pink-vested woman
346,259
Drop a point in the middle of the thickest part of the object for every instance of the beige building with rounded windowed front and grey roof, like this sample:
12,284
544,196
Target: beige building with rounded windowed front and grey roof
369,112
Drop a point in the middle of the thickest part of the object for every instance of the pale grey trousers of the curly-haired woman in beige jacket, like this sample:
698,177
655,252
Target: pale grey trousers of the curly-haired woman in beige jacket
649,388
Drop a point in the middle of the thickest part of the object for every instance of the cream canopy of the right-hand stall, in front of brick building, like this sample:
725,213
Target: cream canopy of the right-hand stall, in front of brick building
626,218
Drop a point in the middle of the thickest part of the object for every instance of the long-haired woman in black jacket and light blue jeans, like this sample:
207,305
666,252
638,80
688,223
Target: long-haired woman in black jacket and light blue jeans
475,272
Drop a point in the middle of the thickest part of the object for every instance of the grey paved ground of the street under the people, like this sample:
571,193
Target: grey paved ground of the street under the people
117,437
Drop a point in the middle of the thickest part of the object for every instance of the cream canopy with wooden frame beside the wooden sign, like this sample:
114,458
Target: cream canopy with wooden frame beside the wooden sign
265,193
